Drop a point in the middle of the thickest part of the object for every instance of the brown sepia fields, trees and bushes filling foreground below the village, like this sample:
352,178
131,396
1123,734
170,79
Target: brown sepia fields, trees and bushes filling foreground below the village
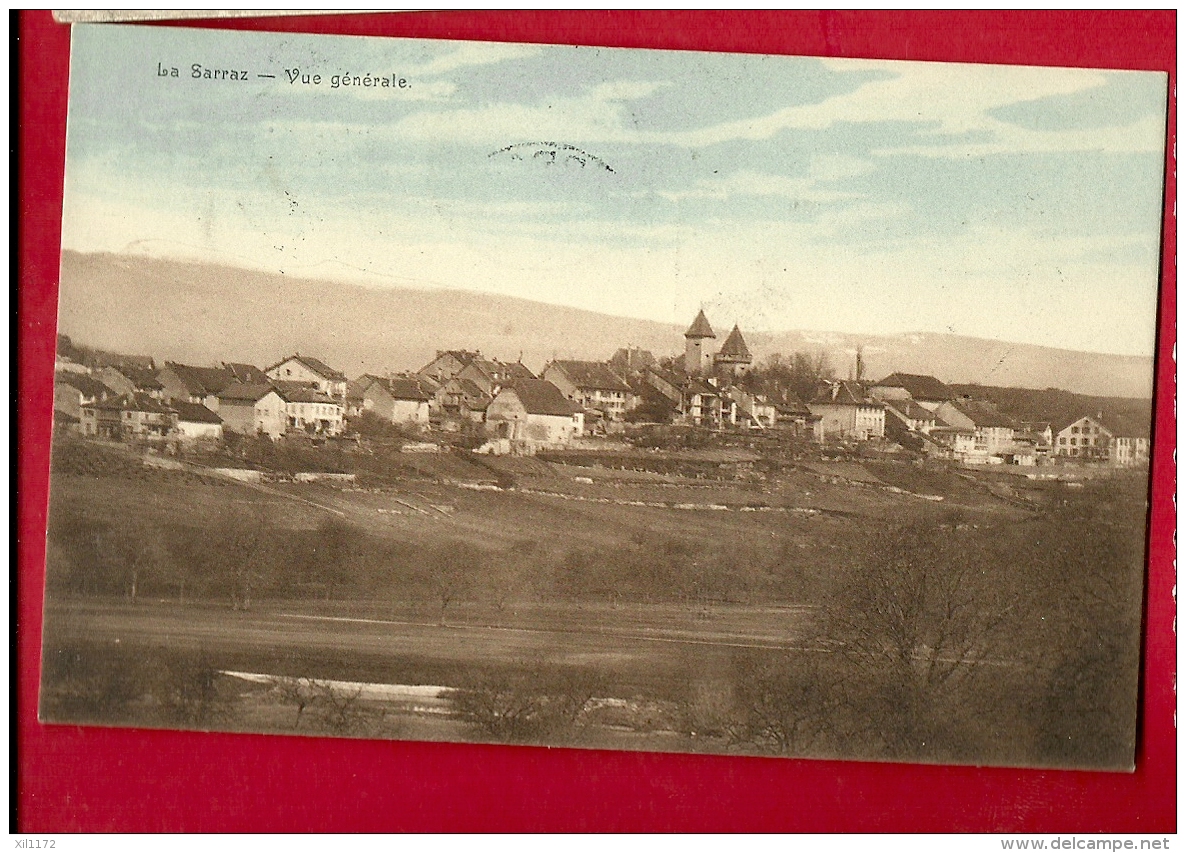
724,602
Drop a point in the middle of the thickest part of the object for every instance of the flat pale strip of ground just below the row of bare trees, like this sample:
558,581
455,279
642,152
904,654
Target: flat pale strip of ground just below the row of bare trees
627,639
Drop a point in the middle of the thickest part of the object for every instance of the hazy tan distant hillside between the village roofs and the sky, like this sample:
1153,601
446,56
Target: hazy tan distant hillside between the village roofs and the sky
203,314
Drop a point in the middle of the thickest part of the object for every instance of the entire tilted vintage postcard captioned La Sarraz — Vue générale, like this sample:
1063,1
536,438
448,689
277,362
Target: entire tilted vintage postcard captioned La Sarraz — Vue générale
601,398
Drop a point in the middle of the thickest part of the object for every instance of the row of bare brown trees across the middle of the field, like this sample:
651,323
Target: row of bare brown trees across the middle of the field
246,557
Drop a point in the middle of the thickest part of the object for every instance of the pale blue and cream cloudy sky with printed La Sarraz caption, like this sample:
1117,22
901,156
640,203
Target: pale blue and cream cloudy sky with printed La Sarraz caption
779,193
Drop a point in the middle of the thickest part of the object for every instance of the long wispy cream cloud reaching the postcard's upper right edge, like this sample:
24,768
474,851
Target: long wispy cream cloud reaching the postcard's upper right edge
949,106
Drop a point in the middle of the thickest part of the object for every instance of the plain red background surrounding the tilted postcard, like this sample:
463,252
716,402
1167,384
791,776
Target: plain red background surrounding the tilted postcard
95,780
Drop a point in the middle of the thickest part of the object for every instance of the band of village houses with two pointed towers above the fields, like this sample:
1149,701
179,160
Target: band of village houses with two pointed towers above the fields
505,409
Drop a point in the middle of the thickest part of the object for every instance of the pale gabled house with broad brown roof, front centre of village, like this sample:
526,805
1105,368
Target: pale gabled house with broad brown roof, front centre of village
533,415
